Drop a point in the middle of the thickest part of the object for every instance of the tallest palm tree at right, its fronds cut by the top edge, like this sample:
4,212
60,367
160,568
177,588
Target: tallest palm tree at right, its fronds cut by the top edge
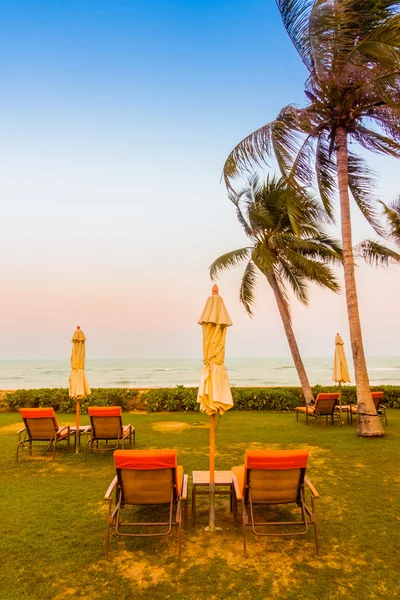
351,49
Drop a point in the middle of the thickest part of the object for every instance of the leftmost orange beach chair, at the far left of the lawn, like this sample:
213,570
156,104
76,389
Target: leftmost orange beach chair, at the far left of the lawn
41,426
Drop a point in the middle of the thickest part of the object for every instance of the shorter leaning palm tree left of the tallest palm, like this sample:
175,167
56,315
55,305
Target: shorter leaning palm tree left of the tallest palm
287,258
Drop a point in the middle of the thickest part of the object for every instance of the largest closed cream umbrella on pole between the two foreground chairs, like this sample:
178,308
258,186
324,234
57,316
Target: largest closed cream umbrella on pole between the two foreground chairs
214,391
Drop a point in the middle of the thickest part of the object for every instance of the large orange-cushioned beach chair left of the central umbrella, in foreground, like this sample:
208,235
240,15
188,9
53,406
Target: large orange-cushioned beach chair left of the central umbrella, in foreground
147,478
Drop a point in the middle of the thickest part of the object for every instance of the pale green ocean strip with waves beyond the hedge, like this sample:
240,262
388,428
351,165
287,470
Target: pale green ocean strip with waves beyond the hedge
168,372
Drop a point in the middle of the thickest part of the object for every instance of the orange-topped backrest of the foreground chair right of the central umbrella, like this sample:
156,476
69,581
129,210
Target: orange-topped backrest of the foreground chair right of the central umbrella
274,476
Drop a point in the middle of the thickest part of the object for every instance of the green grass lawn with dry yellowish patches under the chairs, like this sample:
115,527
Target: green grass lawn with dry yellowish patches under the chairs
53,525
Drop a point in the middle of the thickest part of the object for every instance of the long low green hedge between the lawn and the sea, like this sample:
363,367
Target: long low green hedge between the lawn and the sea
184,399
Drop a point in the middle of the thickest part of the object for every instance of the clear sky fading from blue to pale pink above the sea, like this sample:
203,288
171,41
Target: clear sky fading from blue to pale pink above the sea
116,118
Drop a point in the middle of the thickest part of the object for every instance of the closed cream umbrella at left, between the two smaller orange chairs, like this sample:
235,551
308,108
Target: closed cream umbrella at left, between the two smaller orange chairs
78,385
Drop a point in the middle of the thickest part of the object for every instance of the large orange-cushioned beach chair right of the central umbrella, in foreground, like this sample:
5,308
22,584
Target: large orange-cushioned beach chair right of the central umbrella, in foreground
273,478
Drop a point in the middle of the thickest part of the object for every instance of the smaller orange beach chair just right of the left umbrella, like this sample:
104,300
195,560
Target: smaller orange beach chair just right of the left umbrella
106,424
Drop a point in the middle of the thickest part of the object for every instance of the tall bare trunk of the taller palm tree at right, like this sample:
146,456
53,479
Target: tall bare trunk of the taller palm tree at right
368,421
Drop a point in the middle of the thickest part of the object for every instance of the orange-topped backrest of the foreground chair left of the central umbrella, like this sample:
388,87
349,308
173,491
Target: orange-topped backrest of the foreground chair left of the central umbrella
147,476
